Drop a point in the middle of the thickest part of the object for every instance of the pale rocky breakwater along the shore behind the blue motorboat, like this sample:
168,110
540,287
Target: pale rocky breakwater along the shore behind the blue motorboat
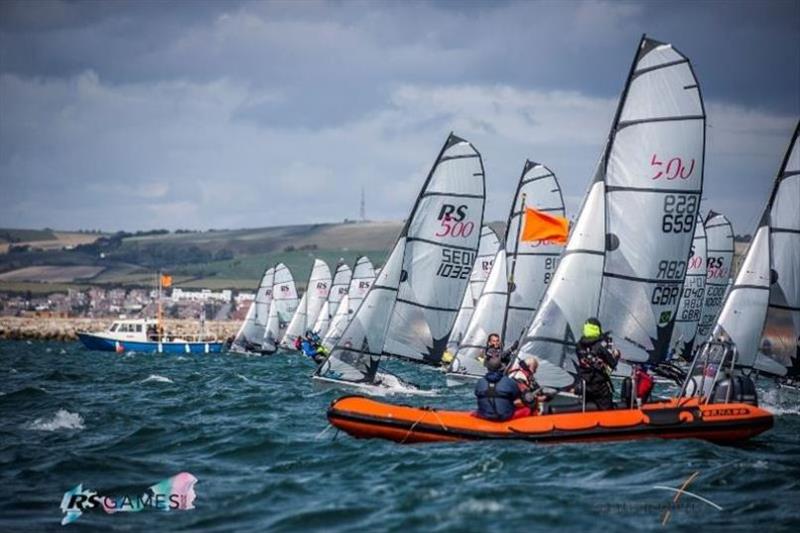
65,329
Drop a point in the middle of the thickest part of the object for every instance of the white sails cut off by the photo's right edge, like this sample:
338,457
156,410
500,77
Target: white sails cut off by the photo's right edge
769,275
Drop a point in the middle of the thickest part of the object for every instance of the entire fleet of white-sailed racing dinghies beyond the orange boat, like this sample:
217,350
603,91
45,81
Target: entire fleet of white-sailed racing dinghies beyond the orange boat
638,256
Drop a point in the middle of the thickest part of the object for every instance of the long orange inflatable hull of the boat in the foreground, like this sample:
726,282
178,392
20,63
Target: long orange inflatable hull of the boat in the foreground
671,419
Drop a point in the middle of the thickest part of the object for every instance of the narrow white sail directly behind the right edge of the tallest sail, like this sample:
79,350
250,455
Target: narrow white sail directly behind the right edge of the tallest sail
690,306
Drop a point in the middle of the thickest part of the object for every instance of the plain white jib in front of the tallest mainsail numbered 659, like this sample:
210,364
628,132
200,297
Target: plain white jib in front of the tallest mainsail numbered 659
573,291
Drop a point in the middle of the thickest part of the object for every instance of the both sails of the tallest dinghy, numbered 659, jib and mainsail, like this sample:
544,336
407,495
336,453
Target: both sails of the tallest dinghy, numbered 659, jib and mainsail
626,257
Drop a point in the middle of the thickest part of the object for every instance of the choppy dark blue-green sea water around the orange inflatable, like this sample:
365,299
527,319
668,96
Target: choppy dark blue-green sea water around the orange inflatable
252,431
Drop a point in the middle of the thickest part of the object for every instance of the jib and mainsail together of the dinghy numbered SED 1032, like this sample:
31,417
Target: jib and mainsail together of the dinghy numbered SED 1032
410,308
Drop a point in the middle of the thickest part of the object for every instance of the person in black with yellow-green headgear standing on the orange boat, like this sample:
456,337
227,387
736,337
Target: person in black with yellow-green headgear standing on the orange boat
597,358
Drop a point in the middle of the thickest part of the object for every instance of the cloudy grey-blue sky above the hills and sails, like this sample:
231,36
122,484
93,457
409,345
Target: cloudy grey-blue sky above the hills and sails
142,115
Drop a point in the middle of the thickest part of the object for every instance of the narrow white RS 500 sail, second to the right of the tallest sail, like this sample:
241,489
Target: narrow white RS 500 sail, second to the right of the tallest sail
719,267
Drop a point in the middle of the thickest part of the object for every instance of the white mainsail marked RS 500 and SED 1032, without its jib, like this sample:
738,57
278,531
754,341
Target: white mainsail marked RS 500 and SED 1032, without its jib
442,237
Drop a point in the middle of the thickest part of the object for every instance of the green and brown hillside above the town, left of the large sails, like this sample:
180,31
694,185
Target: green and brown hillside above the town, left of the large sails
211,259
